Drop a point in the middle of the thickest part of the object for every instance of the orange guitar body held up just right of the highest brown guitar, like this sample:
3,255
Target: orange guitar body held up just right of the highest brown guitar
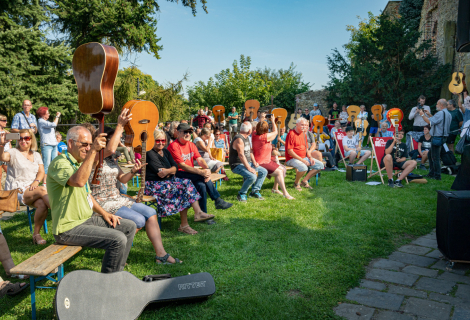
140,110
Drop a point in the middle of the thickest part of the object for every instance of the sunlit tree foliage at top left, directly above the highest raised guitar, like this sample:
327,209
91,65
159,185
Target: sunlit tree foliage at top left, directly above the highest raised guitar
130,26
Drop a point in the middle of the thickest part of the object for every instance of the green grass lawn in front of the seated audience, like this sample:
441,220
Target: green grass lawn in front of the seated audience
272,259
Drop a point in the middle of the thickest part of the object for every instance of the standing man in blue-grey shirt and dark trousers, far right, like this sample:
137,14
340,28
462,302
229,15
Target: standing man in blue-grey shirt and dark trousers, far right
440,127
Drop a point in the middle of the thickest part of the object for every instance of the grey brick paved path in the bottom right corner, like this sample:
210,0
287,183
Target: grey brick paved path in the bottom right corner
412,284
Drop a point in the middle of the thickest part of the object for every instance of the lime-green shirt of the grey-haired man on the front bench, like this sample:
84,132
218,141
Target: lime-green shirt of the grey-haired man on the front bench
69,205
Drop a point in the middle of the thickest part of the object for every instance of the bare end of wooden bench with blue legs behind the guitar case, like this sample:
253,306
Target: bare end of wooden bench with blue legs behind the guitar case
45,265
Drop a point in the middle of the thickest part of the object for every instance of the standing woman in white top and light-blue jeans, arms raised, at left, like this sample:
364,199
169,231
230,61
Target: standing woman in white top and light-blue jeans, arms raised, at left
47,136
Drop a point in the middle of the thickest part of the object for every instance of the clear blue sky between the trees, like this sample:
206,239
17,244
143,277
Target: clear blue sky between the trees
273,33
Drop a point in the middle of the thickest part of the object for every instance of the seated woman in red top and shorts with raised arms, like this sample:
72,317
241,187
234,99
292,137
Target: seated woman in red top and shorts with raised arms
262,149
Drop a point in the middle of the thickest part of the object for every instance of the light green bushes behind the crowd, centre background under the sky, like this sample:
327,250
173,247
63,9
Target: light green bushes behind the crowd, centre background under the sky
232,87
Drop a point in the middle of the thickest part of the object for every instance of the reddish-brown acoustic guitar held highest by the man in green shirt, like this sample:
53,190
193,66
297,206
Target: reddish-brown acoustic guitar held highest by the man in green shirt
95,68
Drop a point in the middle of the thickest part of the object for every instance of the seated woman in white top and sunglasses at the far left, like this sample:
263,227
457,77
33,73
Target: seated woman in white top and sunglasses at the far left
24,172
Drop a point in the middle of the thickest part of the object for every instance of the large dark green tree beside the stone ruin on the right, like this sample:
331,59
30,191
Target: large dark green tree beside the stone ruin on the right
389,66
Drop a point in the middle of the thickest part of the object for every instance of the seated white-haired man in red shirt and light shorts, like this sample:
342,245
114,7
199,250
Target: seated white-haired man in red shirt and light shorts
299,157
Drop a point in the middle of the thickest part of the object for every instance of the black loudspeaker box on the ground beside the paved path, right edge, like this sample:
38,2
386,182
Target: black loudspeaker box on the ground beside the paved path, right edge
453,224
